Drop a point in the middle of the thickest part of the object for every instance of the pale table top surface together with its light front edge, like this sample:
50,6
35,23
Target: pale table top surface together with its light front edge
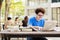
29,32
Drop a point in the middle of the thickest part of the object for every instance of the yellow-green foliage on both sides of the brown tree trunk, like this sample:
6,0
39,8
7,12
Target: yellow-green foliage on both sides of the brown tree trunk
15,8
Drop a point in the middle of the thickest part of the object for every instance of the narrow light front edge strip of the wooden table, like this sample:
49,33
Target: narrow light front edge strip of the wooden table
30,32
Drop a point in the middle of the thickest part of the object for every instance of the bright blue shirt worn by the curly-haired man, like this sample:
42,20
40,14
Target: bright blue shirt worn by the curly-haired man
33,22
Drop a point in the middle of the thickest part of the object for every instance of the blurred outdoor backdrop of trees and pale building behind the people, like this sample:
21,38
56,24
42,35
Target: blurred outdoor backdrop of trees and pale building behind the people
21,8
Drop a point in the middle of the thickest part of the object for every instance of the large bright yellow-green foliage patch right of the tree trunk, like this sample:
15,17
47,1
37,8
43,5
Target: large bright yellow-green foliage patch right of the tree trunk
16,8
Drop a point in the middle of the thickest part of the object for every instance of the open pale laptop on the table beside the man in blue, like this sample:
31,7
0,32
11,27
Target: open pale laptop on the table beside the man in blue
49,25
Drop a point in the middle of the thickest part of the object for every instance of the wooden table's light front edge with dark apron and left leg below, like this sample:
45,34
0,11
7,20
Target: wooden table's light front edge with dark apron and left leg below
29,34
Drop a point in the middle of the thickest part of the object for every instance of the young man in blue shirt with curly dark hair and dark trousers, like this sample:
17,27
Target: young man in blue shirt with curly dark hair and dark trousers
37,22
